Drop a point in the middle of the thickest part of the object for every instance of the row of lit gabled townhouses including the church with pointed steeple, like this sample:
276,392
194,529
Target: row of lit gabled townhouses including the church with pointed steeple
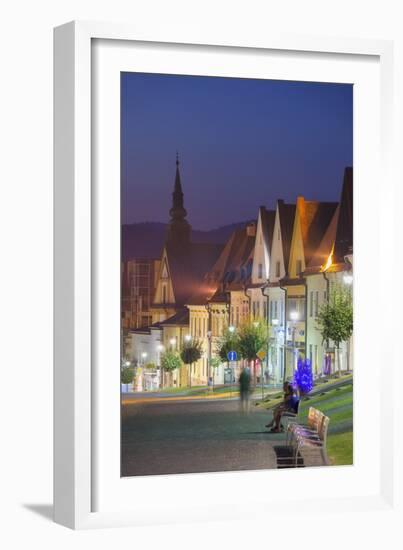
280,268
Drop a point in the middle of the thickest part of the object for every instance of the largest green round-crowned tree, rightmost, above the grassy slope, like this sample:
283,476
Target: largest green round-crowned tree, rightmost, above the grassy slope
335,318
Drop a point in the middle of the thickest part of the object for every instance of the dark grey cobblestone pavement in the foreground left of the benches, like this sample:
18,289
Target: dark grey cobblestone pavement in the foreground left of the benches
171,437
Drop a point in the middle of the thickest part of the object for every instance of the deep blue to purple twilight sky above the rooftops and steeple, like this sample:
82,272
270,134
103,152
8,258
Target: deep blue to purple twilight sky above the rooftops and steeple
242,143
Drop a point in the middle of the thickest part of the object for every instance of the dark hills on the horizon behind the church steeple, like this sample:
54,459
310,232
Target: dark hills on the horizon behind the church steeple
145,240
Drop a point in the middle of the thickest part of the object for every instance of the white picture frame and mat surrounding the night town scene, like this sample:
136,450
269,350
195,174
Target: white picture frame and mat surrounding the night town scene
85,494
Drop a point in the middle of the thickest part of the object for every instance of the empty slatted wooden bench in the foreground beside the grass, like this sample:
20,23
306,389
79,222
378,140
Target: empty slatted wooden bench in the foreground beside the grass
310,440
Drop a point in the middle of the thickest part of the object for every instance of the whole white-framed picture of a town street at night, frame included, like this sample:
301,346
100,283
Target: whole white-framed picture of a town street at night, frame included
217,265
